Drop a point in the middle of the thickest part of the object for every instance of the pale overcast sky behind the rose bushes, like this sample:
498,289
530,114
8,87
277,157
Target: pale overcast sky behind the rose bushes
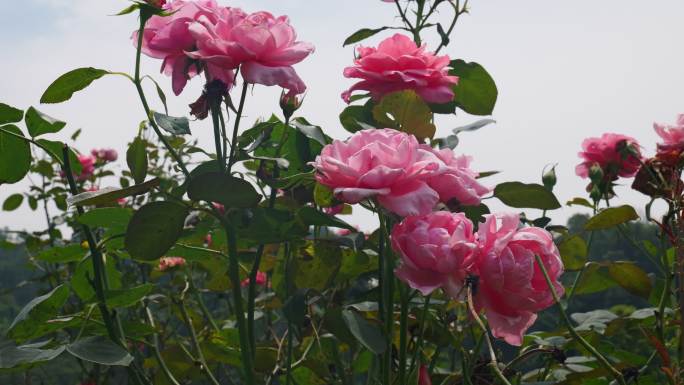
565,70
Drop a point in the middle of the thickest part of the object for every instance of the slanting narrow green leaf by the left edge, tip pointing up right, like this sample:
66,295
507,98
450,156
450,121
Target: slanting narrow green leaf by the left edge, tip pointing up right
36,312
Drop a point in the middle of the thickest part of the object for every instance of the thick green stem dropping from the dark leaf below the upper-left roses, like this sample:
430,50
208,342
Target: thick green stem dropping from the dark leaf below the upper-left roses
234,274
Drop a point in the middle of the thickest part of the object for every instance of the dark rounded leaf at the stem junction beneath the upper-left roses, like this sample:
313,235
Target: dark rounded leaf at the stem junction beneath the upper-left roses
228,190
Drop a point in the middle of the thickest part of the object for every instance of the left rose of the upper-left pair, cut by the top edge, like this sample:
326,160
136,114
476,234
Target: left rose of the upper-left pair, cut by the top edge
168,38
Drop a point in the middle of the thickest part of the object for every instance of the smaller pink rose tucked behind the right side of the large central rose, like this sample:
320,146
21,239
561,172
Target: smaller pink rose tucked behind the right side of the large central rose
457,181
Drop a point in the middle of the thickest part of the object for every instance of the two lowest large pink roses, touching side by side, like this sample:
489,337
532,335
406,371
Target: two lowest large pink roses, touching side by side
440,250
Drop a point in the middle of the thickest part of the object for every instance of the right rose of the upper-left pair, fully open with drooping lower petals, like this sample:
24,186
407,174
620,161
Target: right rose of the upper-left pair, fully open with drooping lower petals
265,47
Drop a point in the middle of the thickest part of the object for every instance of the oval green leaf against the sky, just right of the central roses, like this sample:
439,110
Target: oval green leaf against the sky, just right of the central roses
520,195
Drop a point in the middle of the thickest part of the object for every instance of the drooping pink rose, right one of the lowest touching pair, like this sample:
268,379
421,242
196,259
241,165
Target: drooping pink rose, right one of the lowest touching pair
512,288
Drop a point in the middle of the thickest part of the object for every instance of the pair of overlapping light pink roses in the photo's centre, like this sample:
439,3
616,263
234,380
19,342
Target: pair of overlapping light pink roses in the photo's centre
403,175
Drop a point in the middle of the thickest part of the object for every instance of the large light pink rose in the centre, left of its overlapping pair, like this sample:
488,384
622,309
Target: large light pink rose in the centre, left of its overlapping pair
385,164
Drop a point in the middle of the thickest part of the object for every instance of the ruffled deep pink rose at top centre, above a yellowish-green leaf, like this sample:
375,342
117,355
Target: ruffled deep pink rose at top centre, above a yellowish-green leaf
398,64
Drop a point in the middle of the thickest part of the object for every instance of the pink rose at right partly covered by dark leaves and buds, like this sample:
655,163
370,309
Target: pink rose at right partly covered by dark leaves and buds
608,152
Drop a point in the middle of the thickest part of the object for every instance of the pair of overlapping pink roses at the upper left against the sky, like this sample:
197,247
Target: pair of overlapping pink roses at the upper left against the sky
201,36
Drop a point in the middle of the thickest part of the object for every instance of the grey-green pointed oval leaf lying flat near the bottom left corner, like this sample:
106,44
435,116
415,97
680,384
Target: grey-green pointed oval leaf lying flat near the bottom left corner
100,350
